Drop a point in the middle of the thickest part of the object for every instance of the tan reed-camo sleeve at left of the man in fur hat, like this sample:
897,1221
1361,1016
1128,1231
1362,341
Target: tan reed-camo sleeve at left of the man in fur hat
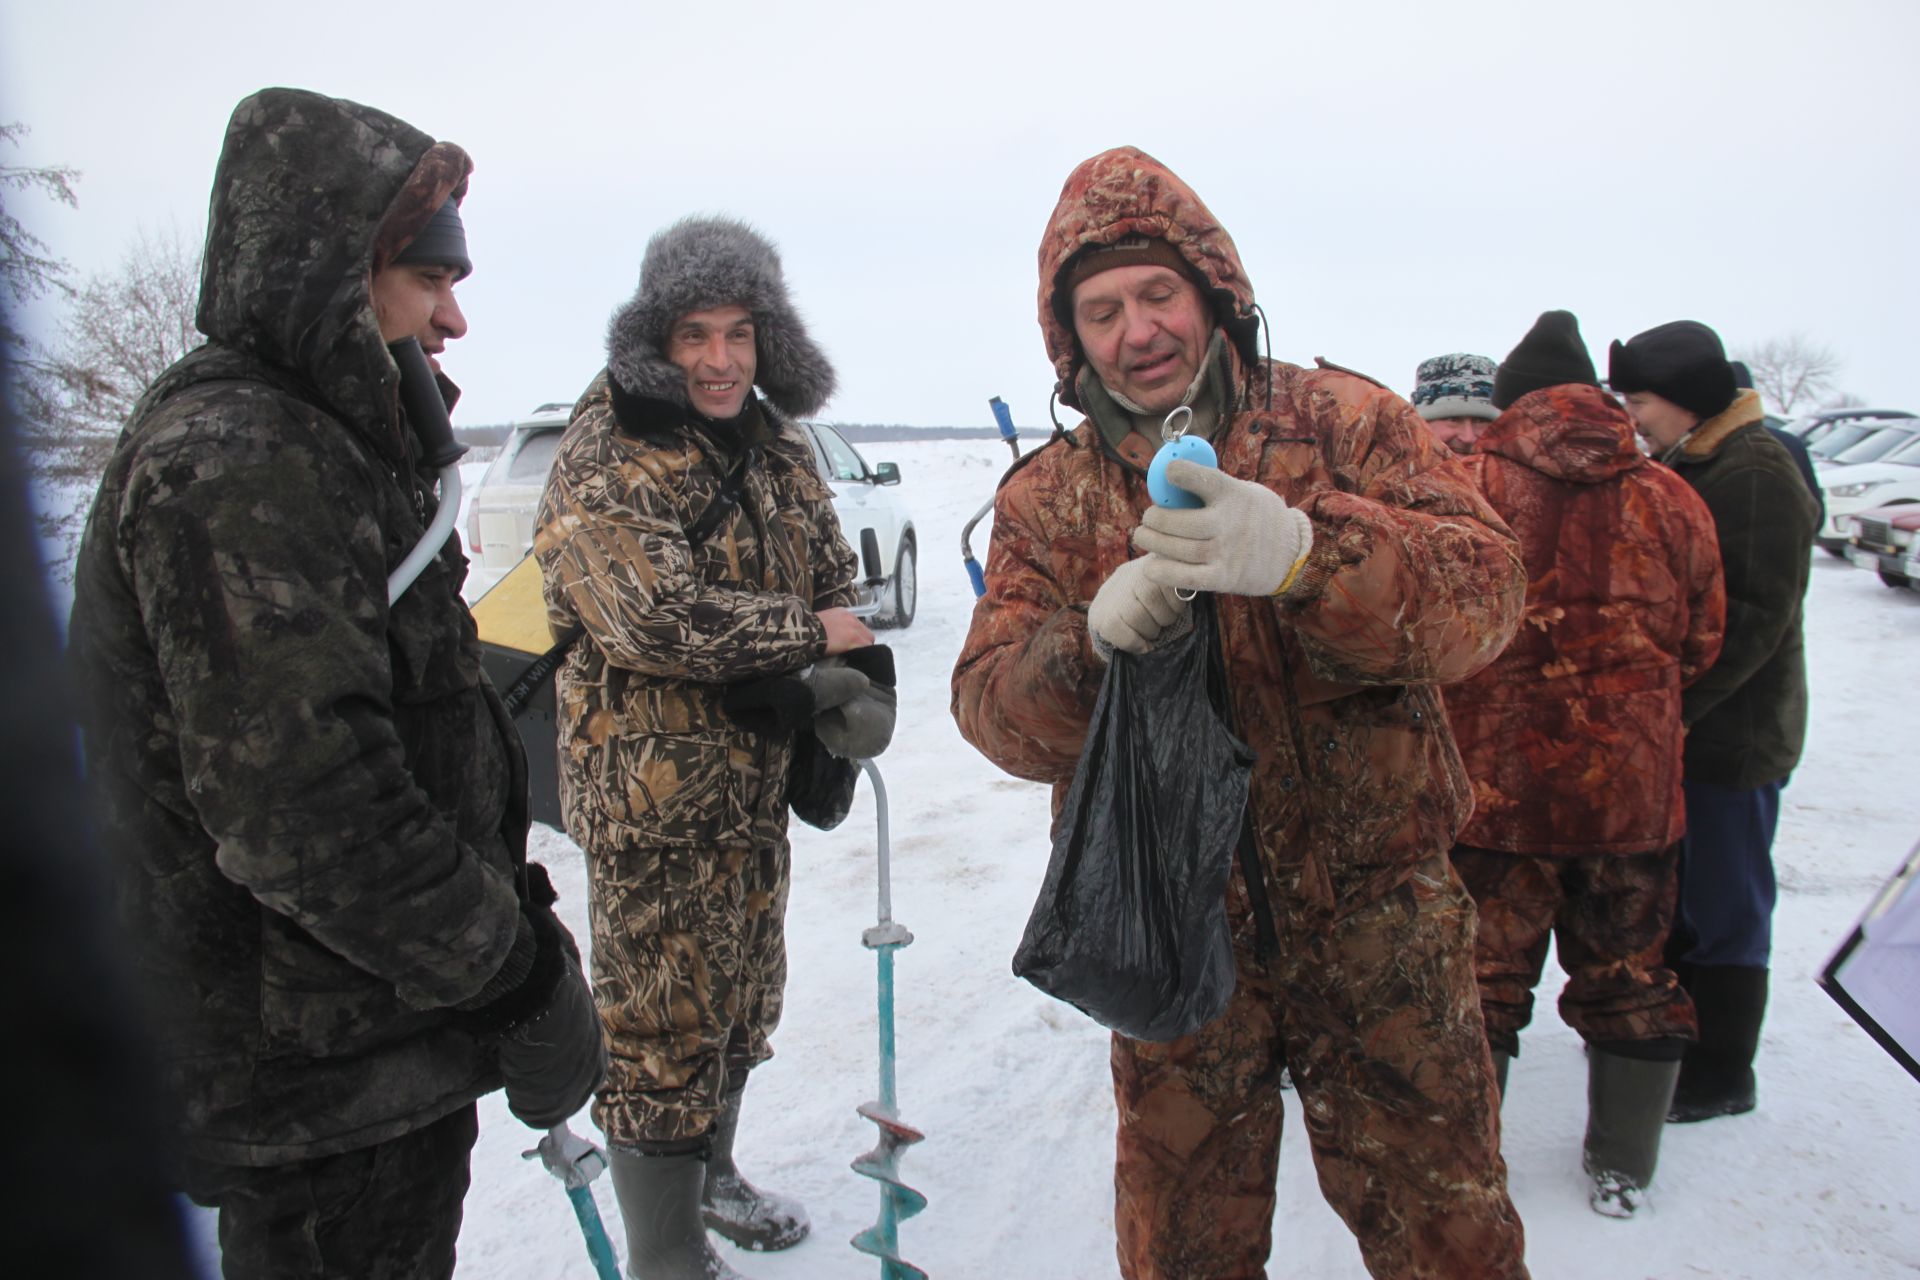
615,556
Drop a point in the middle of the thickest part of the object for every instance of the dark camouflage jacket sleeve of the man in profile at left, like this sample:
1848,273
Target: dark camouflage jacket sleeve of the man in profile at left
258,567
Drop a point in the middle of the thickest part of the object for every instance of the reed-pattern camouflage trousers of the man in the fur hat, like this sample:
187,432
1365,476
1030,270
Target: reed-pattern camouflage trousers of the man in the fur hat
690,968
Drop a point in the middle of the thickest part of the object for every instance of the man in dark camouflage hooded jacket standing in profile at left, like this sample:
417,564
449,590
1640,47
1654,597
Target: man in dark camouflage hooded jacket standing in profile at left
316,801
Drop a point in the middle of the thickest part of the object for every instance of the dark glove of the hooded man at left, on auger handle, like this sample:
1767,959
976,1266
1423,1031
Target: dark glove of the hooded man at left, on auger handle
540,1012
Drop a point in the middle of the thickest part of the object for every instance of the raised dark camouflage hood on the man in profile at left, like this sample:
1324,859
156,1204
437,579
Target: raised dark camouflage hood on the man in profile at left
310,199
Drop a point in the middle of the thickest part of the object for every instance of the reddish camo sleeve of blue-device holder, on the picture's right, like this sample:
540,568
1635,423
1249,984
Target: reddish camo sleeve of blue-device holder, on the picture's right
1414,579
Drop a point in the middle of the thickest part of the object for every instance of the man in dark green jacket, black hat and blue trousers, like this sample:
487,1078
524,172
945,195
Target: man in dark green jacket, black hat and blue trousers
1748,715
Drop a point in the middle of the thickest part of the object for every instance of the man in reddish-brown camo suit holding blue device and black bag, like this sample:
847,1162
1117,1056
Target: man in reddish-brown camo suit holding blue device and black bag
1355,571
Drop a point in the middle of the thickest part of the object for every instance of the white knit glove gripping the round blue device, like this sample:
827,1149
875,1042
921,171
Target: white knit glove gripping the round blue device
1245,542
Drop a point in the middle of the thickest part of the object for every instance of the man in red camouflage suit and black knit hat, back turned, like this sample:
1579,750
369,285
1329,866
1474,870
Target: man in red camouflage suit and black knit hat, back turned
1573,742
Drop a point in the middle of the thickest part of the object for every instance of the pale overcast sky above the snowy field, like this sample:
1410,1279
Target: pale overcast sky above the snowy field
1403,179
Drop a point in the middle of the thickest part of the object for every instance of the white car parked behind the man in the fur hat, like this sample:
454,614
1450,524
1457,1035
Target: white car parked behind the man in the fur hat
500,517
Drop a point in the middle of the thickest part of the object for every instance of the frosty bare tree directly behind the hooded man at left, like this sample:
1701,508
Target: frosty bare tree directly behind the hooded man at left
122,331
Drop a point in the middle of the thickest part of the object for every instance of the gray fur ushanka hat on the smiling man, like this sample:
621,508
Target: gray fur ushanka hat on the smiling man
713,262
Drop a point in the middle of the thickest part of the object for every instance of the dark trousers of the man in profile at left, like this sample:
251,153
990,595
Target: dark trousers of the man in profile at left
389,1212
